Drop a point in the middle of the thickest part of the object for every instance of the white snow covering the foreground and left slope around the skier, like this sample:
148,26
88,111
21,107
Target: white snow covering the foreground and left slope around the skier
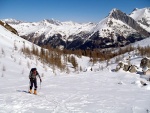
102,91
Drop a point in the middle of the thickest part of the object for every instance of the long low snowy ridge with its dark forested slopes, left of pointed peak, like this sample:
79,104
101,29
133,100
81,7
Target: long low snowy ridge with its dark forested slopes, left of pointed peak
50,32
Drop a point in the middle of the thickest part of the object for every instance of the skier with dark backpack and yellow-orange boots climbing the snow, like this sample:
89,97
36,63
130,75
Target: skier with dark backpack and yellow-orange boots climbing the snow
32,76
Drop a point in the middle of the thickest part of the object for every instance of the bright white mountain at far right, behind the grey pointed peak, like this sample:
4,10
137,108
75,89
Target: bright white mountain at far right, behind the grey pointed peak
142,16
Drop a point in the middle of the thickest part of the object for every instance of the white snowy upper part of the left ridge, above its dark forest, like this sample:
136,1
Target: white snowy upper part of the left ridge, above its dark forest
50,28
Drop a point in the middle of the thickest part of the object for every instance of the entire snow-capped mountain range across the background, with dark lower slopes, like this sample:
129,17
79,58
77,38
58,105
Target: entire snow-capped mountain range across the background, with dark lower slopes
117,29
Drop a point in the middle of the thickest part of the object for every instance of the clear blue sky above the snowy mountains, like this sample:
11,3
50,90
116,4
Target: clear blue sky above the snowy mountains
66,10
